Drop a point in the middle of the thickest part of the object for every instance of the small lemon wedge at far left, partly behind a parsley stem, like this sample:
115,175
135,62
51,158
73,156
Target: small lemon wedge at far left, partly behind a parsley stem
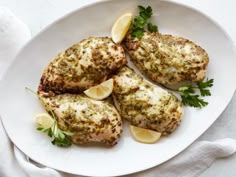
44,120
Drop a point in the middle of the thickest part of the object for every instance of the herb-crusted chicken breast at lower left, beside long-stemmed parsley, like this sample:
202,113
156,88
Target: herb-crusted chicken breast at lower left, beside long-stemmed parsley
87,119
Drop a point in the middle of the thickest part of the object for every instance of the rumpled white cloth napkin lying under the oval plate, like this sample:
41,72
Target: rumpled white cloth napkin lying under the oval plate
14,163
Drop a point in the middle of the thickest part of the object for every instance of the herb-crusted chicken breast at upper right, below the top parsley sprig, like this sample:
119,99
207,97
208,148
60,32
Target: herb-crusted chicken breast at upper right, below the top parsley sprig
167,59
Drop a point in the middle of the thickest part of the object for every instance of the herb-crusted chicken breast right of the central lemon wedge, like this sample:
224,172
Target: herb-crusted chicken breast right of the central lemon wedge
144,104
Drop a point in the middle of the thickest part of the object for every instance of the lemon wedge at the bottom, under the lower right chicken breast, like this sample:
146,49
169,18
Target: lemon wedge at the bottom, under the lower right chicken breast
145,135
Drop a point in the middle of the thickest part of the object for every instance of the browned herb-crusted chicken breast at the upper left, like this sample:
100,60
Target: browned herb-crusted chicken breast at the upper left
83,65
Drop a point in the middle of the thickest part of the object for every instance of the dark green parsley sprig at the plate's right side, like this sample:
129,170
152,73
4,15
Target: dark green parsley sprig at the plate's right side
191,98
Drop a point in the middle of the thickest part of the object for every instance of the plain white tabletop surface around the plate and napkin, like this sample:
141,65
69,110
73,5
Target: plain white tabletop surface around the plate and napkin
39,13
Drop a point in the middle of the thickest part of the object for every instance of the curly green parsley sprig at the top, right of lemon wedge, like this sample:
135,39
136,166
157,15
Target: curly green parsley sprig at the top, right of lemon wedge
140,22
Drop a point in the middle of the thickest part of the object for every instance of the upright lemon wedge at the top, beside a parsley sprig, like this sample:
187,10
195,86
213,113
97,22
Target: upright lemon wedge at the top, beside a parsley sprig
120,27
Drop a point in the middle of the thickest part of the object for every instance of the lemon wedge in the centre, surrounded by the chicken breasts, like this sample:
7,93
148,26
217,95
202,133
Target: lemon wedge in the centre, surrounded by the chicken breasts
100,91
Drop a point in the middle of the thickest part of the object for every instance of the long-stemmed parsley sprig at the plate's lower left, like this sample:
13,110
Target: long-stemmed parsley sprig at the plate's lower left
58,136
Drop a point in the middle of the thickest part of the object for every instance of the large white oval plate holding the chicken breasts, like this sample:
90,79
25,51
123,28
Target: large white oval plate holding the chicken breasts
128,156
